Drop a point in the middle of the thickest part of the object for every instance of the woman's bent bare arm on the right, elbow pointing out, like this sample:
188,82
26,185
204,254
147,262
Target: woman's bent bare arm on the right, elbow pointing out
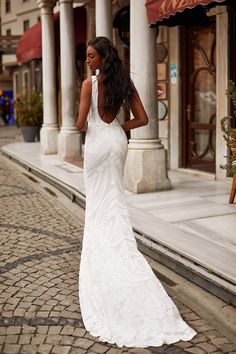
140,116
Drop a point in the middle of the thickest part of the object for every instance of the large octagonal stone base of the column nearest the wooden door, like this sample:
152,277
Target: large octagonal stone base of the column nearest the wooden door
146,169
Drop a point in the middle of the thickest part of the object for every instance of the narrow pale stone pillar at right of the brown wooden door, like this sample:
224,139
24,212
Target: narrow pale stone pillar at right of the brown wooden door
222,109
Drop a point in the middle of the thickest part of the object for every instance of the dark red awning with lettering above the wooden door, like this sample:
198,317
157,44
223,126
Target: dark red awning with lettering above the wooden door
157,10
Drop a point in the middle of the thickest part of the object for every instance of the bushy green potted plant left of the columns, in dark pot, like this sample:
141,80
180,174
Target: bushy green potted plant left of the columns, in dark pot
29,114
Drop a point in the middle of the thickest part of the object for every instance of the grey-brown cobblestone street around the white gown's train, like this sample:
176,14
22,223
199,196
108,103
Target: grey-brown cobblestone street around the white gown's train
40,242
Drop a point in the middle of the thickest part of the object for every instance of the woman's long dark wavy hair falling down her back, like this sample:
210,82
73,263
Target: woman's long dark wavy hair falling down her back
117,84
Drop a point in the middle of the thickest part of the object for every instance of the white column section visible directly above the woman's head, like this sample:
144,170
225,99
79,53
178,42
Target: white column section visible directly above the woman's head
104,18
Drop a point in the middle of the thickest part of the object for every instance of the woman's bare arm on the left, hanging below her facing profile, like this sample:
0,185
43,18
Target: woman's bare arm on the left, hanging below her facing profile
85,102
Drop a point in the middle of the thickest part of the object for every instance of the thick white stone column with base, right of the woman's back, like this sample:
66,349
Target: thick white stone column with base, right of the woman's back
146,167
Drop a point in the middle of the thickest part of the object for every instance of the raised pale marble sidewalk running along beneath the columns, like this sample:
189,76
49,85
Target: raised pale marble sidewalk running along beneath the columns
190,229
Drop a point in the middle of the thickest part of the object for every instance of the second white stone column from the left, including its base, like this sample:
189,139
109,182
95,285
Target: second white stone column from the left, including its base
69,142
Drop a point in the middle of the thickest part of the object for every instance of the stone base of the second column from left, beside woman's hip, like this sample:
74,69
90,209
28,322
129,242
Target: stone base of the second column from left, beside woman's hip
69,144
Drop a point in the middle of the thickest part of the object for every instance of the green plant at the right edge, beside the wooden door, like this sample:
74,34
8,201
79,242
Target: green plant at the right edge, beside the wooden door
228,126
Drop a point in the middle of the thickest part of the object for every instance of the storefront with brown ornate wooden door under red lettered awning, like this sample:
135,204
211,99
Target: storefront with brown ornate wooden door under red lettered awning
198,74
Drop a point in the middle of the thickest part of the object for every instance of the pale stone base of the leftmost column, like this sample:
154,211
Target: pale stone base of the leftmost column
49,139
